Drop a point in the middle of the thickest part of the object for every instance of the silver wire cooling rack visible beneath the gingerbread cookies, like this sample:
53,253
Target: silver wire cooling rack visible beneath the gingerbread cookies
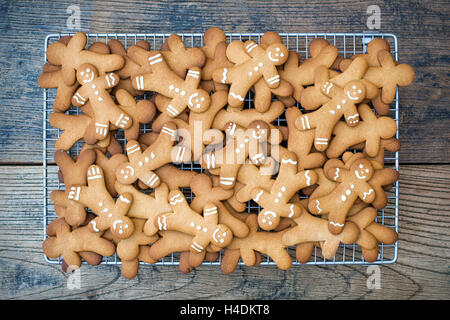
348,44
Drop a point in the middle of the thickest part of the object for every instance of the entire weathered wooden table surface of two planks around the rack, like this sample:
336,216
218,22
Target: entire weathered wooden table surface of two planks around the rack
422,268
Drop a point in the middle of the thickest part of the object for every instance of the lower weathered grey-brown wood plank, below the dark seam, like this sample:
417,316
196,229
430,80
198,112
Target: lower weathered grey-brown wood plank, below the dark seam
421,271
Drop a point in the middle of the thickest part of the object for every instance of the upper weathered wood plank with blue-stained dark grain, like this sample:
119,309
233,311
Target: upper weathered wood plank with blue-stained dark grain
421,28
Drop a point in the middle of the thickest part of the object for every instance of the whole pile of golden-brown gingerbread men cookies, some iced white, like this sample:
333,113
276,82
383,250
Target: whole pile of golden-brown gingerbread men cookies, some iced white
317,177
